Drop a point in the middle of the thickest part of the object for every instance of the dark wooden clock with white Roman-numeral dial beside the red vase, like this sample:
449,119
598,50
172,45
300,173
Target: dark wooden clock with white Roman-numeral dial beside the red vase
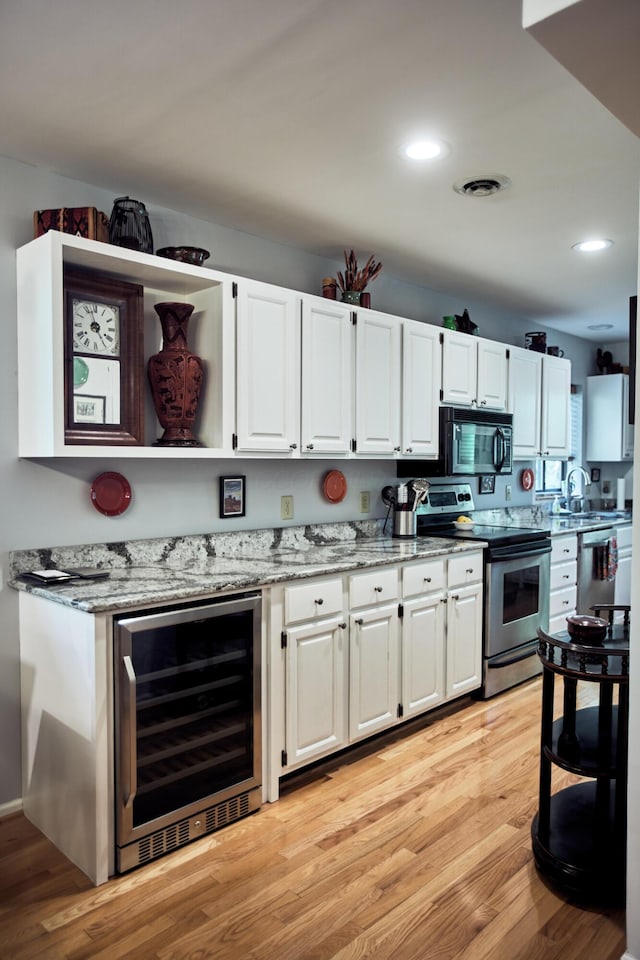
103,359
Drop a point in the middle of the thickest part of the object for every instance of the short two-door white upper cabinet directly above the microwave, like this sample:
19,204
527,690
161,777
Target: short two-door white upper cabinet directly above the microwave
474,371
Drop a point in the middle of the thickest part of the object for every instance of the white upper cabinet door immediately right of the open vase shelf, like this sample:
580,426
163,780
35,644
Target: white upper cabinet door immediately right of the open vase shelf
268,369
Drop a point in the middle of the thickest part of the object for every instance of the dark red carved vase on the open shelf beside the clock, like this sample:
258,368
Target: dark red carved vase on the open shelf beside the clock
175,375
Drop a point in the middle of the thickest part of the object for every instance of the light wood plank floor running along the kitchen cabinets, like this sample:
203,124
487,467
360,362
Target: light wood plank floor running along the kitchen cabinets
416,847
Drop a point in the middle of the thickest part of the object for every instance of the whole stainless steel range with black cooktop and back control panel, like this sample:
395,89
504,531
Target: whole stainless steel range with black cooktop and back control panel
516,584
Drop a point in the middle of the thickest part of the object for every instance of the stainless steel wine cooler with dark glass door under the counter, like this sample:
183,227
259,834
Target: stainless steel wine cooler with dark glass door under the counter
187,724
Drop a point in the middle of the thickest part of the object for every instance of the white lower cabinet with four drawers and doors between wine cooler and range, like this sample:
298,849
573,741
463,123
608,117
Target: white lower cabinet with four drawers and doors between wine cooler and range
349,656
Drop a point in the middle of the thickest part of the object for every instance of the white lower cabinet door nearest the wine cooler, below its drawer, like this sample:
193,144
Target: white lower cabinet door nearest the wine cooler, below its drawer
316,668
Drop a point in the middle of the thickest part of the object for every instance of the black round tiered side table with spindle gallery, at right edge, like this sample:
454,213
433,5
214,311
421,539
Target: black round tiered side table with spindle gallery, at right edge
579,833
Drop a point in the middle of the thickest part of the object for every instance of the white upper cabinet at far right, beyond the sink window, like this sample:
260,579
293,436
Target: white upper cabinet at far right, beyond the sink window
609,433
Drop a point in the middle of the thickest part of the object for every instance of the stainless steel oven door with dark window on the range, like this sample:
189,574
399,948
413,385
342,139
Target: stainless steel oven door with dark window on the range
517,596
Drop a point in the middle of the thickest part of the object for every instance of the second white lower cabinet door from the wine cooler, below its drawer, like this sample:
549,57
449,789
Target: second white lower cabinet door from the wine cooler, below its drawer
373,670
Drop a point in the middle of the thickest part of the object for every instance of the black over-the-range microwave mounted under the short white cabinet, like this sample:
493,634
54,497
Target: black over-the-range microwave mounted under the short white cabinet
472,443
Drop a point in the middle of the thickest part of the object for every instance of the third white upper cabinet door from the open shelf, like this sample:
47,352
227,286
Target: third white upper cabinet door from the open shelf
377,383
